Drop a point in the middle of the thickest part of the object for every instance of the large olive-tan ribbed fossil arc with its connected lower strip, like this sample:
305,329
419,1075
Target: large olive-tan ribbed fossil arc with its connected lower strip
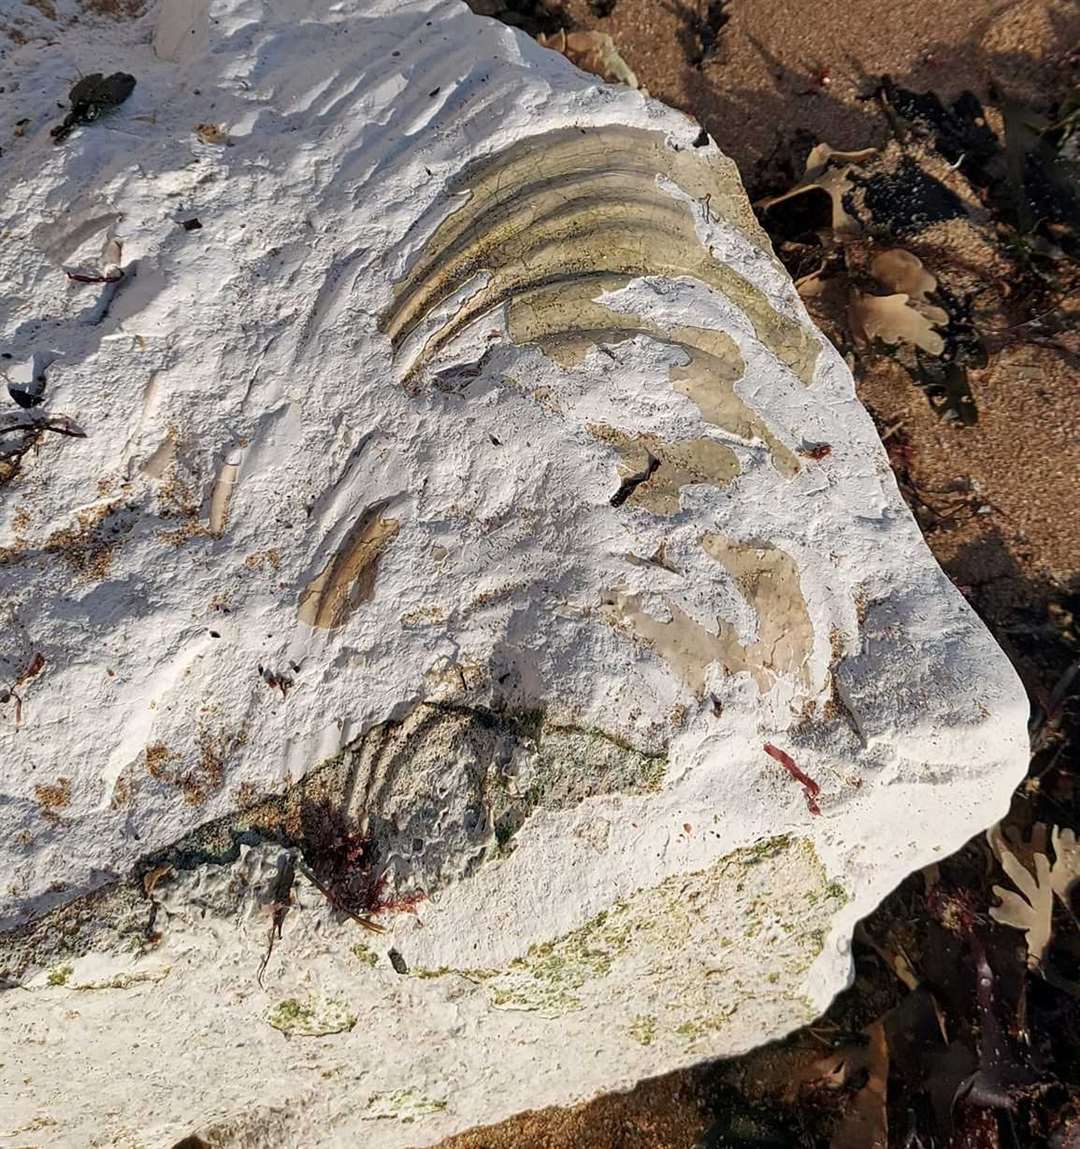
549,227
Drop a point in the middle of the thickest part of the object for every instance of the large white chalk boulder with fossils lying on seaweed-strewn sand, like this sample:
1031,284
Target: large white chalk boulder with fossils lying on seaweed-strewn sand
472,541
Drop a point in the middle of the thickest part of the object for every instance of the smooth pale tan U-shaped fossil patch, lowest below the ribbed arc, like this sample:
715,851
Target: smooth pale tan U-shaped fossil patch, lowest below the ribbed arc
769,580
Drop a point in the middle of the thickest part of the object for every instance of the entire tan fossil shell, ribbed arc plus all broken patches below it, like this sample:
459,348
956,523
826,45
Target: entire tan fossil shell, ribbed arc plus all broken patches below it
543,232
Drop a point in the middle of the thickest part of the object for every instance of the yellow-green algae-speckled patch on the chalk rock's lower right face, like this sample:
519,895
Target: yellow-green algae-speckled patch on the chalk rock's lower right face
683,942
